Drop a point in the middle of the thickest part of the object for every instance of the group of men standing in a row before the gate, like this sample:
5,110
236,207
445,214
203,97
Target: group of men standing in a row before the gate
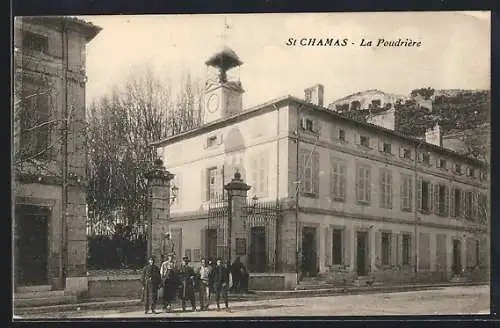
169,281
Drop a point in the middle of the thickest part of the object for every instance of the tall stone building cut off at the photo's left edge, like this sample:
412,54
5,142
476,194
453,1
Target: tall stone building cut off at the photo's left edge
49,157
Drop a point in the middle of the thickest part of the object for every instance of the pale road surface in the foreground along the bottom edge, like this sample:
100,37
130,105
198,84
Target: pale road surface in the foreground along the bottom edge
440,301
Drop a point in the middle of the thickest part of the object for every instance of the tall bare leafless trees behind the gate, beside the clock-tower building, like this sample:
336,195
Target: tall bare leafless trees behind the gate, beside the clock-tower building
121,126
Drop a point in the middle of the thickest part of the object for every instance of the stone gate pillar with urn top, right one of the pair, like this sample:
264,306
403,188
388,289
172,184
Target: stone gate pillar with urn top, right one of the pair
237,191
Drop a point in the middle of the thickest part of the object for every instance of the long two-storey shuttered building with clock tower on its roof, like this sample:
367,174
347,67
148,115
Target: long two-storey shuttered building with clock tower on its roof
355,199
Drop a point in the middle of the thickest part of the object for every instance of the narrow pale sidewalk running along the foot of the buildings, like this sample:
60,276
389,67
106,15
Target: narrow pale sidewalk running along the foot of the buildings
113,303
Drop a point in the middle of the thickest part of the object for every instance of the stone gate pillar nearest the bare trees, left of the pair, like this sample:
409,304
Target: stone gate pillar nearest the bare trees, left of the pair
159,207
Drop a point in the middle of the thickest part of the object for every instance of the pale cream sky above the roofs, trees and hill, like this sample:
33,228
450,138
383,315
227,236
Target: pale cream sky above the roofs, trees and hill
454,51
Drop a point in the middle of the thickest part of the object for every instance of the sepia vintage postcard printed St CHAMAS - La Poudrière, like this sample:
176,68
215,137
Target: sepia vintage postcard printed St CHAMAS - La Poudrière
247,165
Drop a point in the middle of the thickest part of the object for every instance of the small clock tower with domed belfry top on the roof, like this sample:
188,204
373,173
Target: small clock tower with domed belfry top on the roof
223,97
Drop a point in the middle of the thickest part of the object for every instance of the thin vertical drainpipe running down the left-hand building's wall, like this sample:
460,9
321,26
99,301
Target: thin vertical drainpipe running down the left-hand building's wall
64,198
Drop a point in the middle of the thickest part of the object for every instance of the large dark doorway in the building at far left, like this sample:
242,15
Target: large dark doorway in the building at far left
31,234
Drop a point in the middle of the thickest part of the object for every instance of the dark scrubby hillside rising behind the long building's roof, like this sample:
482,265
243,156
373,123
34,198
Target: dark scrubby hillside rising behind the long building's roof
452,109
